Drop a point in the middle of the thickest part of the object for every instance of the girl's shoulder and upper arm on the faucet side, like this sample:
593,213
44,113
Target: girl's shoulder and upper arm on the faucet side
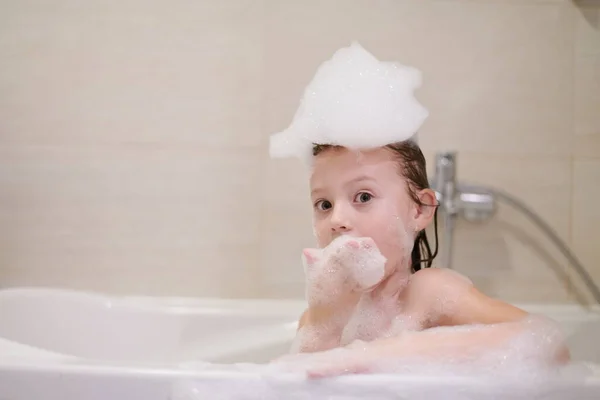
452,299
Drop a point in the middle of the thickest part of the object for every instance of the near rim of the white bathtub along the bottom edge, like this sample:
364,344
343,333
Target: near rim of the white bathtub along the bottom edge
100,382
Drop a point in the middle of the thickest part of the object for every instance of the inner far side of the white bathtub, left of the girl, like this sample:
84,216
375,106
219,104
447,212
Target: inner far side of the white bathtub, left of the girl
138,330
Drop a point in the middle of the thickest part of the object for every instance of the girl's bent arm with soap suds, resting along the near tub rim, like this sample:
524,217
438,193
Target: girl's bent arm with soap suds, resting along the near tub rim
486,326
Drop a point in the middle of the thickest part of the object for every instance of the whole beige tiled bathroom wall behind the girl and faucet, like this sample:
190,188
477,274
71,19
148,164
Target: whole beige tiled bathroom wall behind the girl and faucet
134,136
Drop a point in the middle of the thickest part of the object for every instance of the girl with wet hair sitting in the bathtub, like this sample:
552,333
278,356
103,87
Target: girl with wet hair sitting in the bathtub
383,194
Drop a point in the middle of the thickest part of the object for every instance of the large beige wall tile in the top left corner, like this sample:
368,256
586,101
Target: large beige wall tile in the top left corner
183,72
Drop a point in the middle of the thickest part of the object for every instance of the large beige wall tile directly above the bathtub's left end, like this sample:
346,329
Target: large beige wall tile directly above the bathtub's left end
136,208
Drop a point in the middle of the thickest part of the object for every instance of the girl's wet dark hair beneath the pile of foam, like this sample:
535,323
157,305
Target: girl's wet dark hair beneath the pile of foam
414,169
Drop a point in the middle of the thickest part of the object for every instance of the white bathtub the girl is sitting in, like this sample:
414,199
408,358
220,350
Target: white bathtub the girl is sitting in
58,344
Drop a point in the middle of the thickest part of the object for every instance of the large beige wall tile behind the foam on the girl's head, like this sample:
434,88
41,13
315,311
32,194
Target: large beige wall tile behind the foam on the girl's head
484,92
